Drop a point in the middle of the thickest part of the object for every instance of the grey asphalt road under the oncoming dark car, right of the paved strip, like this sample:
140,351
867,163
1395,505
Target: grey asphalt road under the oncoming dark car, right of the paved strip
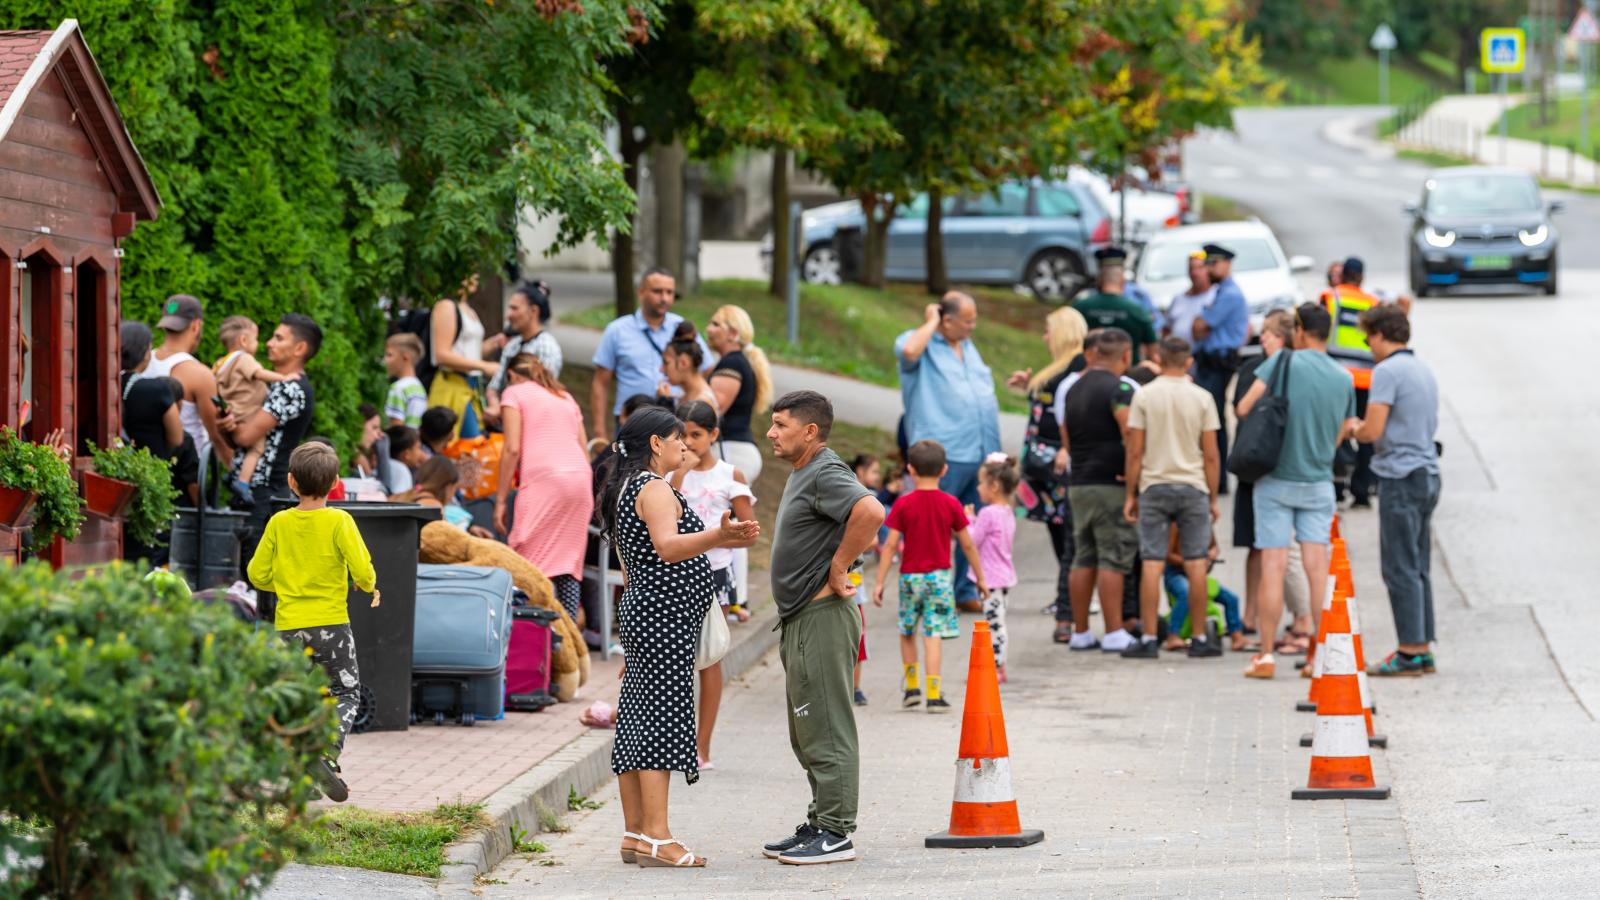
1503,800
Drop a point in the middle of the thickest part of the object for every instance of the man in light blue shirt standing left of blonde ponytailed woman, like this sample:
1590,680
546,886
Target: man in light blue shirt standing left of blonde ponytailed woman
631,350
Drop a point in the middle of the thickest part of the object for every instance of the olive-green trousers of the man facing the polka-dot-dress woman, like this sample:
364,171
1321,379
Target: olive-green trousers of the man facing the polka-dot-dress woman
818,651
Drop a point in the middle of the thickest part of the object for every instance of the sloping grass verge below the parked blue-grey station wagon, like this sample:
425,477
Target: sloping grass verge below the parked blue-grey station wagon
850,331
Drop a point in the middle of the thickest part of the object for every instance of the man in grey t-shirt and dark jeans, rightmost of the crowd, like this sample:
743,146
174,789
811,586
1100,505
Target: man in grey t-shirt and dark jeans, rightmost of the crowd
1402,417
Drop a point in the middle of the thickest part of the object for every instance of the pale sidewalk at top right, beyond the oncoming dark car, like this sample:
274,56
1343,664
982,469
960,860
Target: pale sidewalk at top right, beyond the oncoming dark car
1465,127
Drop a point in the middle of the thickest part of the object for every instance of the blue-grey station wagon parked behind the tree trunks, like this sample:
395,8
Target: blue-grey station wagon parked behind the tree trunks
1039,235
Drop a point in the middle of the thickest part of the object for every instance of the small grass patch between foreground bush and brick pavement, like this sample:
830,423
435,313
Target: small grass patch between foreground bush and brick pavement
404,843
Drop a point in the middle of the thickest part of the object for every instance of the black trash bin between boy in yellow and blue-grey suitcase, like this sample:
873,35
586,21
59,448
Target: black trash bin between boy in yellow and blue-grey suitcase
383,637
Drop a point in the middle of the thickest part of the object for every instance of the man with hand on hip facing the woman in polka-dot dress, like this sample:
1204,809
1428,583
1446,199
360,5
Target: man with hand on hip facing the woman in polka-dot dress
825,523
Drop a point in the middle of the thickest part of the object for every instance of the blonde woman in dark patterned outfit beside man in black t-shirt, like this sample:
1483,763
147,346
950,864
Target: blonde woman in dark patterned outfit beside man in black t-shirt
1044,491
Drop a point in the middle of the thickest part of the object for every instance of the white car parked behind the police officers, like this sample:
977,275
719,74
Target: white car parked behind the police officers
1265,275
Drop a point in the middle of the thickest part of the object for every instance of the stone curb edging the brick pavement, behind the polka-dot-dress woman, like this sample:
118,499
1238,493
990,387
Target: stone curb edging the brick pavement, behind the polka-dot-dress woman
582,766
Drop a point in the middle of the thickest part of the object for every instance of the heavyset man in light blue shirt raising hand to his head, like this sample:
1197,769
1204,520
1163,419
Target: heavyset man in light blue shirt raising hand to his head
950,396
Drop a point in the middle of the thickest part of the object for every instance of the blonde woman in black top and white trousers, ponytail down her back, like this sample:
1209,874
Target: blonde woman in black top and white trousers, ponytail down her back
743,384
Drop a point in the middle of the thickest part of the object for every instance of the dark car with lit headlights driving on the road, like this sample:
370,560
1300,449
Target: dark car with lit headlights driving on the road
1482,227
